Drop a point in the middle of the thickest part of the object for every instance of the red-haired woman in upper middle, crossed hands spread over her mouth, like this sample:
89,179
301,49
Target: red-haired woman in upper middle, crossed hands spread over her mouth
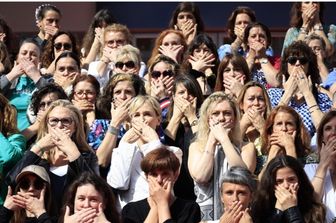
170,43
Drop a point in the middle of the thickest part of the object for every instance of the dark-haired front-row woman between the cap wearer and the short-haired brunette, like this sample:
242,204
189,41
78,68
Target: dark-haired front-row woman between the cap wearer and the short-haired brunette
89,199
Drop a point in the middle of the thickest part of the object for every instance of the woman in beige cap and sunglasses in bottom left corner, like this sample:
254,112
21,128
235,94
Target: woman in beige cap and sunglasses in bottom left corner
31,199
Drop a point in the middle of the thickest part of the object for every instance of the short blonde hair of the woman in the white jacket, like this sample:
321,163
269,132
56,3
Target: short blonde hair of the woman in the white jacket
140,101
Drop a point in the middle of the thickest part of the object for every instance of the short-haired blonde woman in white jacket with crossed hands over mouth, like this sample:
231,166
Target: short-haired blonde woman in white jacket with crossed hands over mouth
125,174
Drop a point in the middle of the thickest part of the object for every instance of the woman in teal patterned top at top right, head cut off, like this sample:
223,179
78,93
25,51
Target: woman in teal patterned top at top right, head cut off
306,19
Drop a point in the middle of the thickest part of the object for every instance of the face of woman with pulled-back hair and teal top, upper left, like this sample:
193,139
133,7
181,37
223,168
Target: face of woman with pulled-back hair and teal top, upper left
30,52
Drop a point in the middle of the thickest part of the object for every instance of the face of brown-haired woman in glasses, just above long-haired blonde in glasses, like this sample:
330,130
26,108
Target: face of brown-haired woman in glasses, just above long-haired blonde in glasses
84,90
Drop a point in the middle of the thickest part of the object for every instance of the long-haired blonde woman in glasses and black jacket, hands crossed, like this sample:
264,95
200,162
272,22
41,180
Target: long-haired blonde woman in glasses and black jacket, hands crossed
61,148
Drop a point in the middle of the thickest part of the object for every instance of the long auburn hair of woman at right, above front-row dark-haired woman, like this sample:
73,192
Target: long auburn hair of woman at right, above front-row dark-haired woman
302,139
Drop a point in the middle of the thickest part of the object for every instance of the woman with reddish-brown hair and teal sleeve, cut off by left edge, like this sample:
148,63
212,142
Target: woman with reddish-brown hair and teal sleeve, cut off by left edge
12,142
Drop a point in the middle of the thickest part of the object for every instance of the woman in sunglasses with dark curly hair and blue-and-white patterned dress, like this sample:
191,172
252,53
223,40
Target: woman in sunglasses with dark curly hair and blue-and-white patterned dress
301,76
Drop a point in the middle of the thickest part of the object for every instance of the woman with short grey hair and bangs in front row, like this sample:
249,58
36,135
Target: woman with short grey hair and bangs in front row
237,190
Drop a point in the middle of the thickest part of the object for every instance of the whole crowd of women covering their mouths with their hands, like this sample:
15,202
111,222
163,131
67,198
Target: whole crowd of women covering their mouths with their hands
89,132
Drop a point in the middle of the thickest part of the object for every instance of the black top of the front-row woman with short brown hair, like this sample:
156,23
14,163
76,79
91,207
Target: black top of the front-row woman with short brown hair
182,211
